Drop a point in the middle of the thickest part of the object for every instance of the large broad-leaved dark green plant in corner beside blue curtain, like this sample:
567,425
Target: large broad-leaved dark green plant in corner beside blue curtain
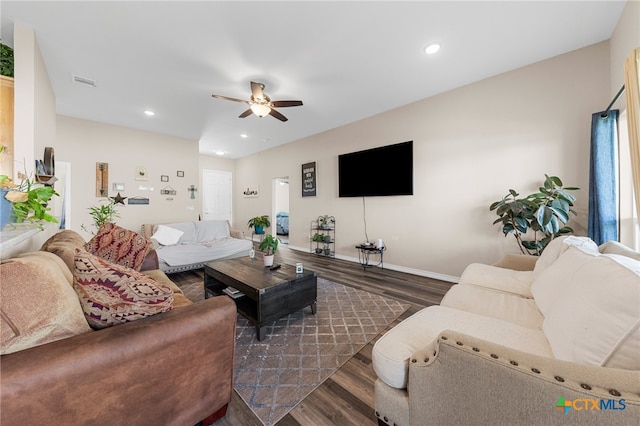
544,214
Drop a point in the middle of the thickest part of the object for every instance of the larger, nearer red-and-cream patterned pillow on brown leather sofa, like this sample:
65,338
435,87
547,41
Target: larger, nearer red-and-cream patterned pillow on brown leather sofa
112,294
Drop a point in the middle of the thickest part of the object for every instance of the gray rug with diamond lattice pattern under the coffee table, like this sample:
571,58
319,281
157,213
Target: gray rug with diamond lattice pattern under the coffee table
302,350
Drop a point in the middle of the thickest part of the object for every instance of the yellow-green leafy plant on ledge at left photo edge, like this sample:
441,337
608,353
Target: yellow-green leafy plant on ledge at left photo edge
27,201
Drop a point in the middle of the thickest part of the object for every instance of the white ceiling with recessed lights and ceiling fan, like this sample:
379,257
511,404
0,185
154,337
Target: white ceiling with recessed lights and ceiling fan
345,60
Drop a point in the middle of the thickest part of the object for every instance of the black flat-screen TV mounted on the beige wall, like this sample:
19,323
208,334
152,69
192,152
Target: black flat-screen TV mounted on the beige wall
383,171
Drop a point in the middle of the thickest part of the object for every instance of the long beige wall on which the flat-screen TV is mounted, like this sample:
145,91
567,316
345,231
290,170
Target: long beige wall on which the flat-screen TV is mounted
470,146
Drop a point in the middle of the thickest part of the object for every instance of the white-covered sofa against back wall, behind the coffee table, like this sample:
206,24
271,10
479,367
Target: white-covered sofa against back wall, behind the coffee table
189,245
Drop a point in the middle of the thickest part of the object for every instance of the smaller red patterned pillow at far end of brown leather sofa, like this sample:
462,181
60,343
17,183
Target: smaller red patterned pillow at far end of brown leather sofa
118,245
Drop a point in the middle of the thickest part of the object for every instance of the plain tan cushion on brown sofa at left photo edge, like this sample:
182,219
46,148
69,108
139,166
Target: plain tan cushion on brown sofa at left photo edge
38,303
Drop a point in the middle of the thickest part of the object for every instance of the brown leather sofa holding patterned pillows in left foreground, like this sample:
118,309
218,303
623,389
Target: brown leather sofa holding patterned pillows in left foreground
172,368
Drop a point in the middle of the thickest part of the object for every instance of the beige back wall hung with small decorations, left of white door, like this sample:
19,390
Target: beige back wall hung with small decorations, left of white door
83,143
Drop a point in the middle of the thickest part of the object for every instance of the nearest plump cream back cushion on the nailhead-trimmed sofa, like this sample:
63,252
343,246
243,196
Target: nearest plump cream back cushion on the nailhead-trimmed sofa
591,309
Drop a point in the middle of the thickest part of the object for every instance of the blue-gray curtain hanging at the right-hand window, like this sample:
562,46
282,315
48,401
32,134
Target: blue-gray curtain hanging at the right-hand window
603,177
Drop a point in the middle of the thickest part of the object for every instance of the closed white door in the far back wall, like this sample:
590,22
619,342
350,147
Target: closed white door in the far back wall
216,199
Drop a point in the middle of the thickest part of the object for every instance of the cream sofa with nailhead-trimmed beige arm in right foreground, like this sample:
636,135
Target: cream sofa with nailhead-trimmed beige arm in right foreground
557,344
